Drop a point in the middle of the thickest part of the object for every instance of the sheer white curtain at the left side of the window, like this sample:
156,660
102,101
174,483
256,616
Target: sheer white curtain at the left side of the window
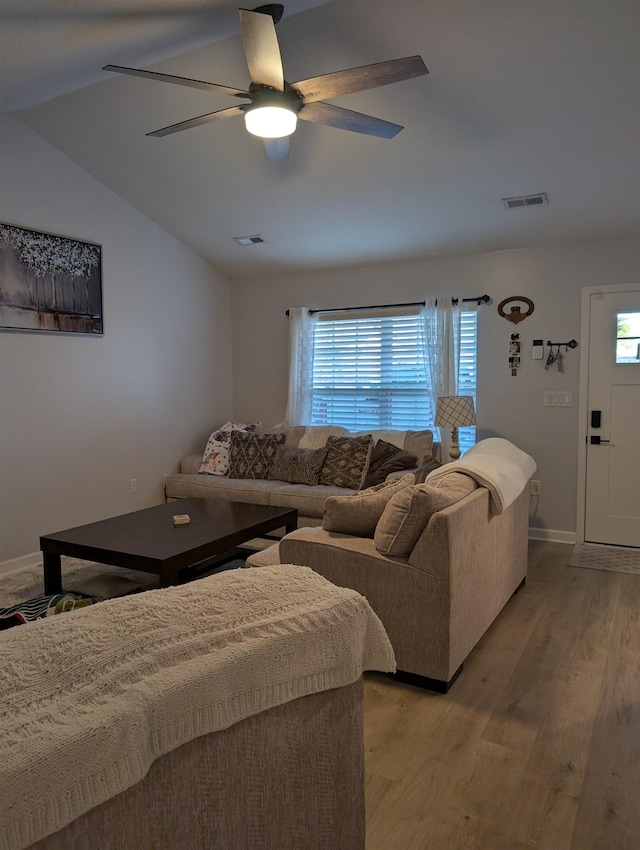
301,326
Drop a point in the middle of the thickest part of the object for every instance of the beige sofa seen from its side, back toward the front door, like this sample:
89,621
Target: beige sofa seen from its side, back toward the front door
438,600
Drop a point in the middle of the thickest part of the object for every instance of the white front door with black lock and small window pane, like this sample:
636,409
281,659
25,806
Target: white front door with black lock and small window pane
612,480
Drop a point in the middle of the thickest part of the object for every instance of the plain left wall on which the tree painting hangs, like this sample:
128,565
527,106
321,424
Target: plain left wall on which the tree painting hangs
80,416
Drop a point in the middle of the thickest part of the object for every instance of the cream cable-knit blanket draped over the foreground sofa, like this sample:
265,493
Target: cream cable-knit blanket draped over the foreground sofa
90,700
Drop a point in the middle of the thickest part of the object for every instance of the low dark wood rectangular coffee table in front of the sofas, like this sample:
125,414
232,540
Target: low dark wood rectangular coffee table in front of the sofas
147,540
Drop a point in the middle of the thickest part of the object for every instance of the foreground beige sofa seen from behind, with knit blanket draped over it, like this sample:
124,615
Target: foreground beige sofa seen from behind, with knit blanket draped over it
224,714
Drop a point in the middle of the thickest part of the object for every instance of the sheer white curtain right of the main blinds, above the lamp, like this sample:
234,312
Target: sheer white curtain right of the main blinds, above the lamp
441,349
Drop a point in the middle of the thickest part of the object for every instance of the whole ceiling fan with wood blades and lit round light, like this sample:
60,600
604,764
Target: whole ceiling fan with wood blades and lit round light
274,105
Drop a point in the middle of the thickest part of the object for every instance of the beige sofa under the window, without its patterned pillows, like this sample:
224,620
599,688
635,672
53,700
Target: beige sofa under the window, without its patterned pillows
309,500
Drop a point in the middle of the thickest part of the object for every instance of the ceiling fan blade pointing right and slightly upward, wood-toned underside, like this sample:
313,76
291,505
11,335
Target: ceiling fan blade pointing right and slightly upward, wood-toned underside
360,79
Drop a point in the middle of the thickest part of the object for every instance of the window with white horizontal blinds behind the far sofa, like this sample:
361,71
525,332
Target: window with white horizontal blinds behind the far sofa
369,372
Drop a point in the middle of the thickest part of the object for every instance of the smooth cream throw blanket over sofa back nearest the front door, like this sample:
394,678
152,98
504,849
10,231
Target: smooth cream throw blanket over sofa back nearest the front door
496,464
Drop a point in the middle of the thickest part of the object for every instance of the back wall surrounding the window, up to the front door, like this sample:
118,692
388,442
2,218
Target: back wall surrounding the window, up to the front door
508,407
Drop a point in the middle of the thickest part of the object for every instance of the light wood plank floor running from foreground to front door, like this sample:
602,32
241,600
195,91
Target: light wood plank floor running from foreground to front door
537,744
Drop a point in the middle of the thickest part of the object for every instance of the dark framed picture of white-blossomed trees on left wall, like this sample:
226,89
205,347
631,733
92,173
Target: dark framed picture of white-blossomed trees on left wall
49,283
